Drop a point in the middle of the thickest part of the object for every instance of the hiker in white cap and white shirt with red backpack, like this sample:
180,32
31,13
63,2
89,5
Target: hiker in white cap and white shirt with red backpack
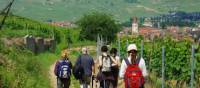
133,65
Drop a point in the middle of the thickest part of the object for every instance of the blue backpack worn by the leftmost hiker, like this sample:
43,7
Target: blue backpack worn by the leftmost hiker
64,70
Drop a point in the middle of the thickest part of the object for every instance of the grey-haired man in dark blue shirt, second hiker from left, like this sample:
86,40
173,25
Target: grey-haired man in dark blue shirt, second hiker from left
87,64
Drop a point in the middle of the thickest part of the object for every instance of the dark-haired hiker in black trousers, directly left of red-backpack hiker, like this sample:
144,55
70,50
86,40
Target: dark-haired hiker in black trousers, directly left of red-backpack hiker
115,67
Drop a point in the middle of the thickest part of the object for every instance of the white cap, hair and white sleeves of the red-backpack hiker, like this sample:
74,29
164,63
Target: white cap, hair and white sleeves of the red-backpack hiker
132,56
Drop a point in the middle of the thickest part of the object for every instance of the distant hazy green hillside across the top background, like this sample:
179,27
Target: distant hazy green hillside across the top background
72,10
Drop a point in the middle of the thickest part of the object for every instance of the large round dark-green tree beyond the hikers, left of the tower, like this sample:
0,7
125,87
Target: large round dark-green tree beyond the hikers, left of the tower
96,23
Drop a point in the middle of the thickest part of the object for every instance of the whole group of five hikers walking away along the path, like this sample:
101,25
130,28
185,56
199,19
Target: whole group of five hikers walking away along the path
110,68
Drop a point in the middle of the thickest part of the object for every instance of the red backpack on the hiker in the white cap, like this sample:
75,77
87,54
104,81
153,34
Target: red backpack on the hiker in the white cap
133,77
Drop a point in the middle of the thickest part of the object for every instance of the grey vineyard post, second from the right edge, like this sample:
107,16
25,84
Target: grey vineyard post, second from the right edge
163,67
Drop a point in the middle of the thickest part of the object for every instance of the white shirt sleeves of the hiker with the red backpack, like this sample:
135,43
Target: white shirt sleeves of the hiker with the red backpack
142,66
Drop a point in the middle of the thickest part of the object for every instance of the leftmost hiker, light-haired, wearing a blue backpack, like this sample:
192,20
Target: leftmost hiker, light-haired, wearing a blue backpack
62,70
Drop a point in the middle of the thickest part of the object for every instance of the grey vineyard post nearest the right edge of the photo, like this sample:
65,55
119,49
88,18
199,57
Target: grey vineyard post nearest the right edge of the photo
192,68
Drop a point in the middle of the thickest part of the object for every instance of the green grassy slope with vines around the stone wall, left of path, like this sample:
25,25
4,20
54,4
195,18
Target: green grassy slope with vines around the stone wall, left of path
20,68
